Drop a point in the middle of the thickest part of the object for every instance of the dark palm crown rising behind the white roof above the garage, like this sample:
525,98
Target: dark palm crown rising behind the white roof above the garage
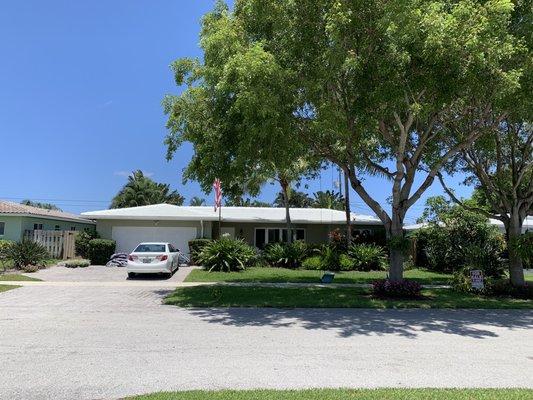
142,191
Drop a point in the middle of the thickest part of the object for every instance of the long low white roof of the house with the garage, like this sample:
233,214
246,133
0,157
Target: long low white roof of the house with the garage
231,214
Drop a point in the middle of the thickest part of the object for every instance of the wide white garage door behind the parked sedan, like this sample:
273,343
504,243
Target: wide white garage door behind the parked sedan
128,237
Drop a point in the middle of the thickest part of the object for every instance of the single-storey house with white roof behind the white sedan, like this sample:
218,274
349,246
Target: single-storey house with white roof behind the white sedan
256,225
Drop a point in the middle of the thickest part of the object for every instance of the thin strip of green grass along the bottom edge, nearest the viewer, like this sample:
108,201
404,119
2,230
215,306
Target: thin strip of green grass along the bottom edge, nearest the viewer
346,394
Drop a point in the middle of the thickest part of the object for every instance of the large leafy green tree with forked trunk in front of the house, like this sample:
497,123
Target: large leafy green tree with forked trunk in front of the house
369,87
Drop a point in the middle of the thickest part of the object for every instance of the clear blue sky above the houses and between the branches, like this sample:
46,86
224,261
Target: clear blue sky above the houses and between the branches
81,85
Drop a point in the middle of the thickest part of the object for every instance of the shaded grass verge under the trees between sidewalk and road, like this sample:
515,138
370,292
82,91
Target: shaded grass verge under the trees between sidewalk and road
254,296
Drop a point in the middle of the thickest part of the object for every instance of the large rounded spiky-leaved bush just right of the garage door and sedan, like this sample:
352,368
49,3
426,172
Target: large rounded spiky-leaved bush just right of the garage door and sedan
227,255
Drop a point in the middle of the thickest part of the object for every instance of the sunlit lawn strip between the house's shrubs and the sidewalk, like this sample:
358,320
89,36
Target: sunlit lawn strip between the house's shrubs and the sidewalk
277,275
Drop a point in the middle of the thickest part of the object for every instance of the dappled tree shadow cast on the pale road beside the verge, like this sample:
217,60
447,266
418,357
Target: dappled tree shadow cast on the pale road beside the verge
348,322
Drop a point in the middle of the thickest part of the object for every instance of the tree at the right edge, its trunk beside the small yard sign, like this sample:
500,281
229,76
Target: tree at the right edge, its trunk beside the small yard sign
500,165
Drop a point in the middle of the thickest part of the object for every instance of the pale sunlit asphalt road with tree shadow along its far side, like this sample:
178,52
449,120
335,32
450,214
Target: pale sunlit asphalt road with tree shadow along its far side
95,342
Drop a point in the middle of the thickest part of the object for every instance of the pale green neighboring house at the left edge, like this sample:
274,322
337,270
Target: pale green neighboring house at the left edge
16,219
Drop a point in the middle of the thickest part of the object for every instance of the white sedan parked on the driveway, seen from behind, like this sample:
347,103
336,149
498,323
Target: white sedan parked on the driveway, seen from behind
153,258
